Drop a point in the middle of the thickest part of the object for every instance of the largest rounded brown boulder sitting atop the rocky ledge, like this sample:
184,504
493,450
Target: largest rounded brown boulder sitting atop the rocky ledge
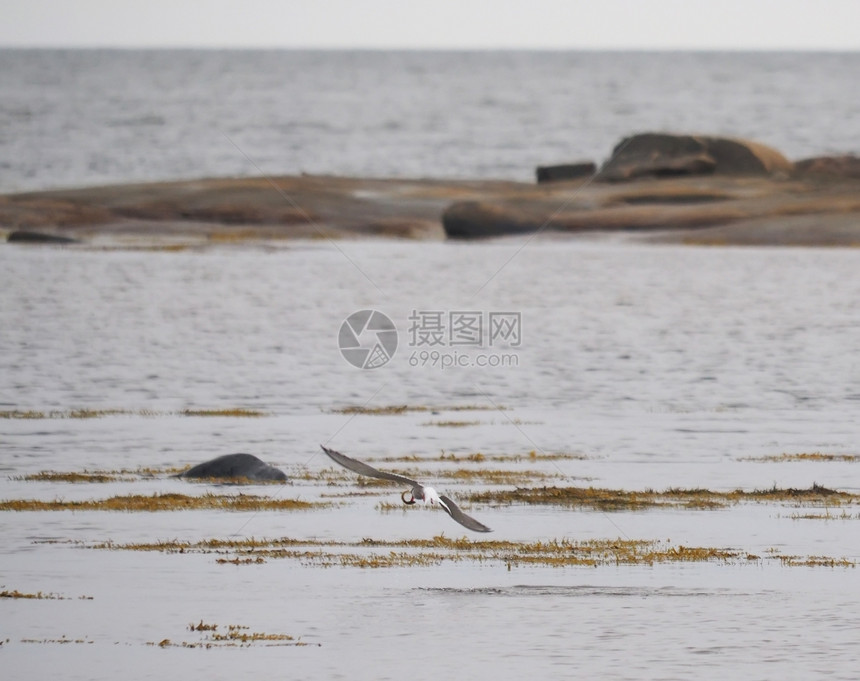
663,155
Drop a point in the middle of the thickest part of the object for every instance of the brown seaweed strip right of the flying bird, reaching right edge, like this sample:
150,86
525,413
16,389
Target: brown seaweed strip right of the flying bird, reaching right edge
613,500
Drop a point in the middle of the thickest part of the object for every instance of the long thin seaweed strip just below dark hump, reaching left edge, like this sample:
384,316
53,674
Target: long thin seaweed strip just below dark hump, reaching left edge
165,502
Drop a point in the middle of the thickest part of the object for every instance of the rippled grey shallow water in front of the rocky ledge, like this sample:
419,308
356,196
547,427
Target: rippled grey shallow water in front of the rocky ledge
660,366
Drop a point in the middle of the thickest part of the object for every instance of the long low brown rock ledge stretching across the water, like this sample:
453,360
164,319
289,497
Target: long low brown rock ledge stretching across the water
712,210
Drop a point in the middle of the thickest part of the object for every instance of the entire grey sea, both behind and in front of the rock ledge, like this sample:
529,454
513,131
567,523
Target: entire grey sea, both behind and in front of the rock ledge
661,366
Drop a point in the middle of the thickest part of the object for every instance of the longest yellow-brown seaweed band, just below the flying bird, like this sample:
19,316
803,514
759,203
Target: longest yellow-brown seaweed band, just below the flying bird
373,553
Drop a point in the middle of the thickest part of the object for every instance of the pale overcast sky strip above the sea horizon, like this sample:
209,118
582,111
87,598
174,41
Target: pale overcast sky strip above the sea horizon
553,24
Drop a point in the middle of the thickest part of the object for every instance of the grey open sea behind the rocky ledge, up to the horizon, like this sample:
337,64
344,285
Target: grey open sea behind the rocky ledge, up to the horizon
76,118
